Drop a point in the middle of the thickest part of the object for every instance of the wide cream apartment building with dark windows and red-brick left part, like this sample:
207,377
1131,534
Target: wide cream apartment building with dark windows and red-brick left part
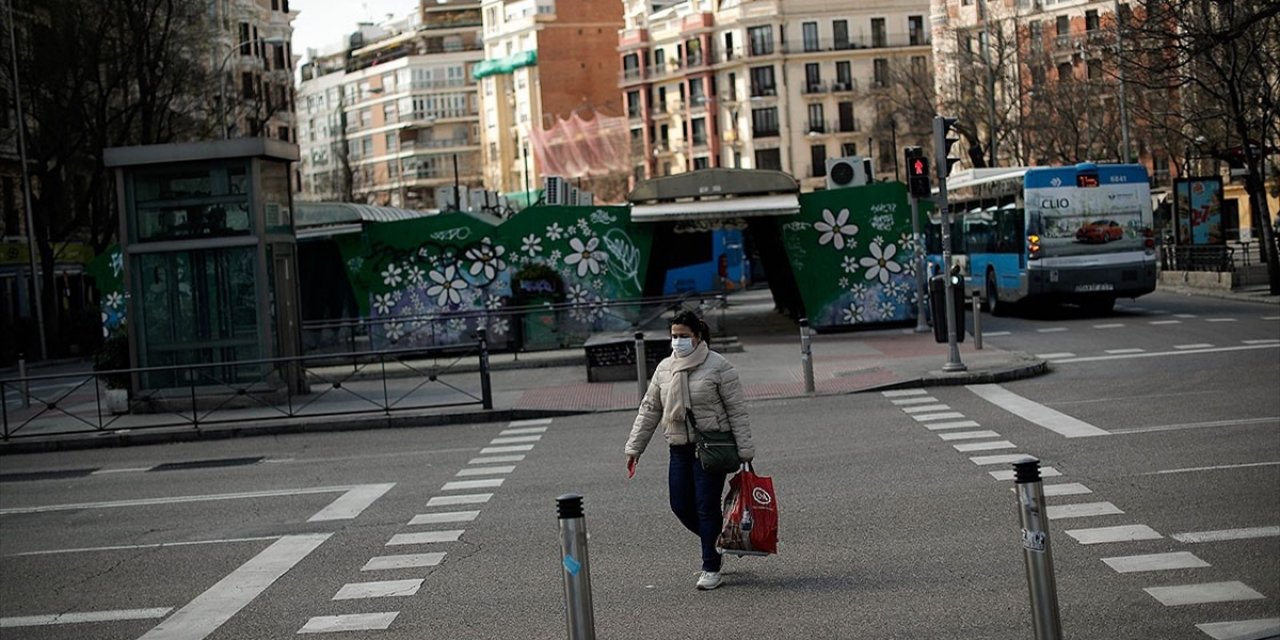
766,84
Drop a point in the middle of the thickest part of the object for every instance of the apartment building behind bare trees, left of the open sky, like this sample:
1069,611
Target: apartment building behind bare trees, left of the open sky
254,56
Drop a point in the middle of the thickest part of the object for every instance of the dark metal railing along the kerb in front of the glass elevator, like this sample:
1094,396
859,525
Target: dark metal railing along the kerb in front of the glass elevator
253,391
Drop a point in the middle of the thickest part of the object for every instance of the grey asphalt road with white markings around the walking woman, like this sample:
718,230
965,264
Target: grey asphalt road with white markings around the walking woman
889,532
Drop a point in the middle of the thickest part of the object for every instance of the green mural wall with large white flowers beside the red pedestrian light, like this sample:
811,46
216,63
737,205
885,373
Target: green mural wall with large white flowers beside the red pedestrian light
852,252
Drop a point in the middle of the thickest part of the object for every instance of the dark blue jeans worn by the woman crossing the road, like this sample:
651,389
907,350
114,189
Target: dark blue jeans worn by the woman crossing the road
696,500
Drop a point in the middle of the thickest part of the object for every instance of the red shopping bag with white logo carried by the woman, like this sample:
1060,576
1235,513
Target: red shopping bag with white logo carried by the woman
751,516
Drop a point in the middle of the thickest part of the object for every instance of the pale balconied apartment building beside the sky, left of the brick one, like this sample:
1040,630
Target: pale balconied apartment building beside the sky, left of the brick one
394,115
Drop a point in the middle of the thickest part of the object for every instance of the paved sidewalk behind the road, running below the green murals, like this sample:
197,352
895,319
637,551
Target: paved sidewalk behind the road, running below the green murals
554,383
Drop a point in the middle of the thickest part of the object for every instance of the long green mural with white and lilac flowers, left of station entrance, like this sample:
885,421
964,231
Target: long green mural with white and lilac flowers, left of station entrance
436,281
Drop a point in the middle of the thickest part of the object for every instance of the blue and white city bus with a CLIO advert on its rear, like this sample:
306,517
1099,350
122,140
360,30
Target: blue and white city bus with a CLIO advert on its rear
1078,235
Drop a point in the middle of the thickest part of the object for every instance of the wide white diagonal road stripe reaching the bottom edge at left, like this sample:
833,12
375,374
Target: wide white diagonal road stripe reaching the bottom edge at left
218,605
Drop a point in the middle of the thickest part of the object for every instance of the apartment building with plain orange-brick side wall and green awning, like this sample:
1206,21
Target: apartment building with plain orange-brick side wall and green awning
546,61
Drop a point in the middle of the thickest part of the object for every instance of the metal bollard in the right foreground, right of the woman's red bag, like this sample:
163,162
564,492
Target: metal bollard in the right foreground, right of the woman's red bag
1037,554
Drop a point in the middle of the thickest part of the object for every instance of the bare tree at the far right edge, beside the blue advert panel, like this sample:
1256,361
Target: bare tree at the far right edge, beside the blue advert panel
1219,62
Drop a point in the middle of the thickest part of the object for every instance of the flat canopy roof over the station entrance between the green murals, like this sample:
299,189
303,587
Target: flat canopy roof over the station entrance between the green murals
716,194
